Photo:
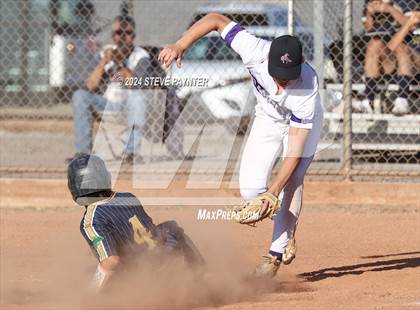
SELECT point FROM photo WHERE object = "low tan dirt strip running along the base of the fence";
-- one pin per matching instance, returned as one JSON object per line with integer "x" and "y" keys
{"x": 53, "y": 193}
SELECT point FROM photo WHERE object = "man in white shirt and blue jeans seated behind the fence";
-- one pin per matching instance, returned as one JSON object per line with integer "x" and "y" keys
{"x": 103, "y": 88}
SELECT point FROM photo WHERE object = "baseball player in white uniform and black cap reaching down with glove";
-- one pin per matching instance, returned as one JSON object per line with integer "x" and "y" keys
{"x": 287, "y": 123}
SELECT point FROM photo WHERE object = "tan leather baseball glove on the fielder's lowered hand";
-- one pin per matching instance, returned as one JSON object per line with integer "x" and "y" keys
{"x": 253, "y": 211}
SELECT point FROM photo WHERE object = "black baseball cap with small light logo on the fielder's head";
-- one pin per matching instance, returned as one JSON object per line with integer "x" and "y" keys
{"x": 285, "y": 58}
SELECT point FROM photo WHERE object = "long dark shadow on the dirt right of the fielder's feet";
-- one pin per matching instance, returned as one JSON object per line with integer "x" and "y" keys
{"x": 336, "y": 272}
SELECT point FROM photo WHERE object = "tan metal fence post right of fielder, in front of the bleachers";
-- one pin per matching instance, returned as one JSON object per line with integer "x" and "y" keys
{"x": 347, "y": 89}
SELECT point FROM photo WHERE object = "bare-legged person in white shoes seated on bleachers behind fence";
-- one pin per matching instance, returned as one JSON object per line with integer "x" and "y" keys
{"x": 381, "y": 21}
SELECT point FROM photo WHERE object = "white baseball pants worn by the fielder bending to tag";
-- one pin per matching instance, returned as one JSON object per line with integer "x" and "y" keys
{"x": 266, "y": 141}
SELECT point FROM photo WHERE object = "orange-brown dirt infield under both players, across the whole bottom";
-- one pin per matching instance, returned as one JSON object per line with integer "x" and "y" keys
{"x": 354, "y": 252}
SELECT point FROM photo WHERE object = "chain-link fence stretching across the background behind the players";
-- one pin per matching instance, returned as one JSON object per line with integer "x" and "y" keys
{"x": 52, "y": 105}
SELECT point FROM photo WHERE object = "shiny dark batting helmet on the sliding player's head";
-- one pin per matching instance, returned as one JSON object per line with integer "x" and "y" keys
{"x": 86, "y": 175}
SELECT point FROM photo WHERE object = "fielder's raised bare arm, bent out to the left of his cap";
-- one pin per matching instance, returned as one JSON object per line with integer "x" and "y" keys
{"x": 210, "y": 22}
